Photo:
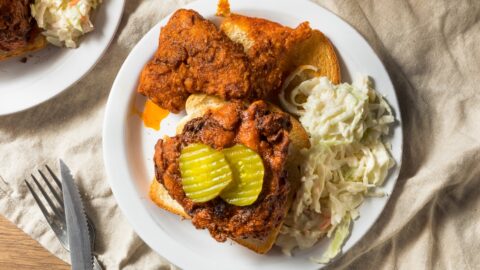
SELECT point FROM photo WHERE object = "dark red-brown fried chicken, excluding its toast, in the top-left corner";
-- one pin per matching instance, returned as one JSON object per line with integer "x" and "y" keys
{"x": 15, "y": 24}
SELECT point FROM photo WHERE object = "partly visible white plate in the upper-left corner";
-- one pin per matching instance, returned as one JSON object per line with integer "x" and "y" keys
{"x": 52, "y": 70}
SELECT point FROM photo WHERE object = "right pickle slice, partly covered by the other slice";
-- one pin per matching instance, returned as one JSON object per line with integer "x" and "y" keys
{"x": 248, "y": 171}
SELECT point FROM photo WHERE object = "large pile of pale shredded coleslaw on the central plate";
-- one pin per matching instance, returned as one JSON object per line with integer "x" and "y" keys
{"x": 346, "y": 162}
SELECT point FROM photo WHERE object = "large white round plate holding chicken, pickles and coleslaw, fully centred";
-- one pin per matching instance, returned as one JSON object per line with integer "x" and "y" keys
{"x": 129, "y": 146}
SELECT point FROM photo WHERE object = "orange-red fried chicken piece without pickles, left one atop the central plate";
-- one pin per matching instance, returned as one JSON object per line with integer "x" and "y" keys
{"x": 194, "y": 56}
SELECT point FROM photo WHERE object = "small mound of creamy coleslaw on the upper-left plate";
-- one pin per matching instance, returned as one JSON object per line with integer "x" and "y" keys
{"x": 64, "y": 21}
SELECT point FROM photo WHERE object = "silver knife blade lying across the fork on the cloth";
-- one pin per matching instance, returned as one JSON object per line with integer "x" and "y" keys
{"x": 77, "y": 228}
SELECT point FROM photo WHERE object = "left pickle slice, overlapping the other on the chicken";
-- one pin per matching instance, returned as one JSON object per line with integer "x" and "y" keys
{"x": 205, "y": 172}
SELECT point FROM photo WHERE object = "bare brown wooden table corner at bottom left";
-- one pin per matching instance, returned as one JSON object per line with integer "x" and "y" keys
{"x": 18, "y": 251}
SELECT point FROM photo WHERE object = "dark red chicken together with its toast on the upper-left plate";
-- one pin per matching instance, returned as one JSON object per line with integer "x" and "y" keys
{"x": 18, "y": 30}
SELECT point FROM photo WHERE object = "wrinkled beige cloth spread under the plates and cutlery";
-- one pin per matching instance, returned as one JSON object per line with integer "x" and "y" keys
{"x": 432, "y": 52}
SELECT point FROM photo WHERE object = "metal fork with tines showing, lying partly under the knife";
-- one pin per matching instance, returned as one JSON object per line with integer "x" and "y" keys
{"x": 57, "y": 220}
